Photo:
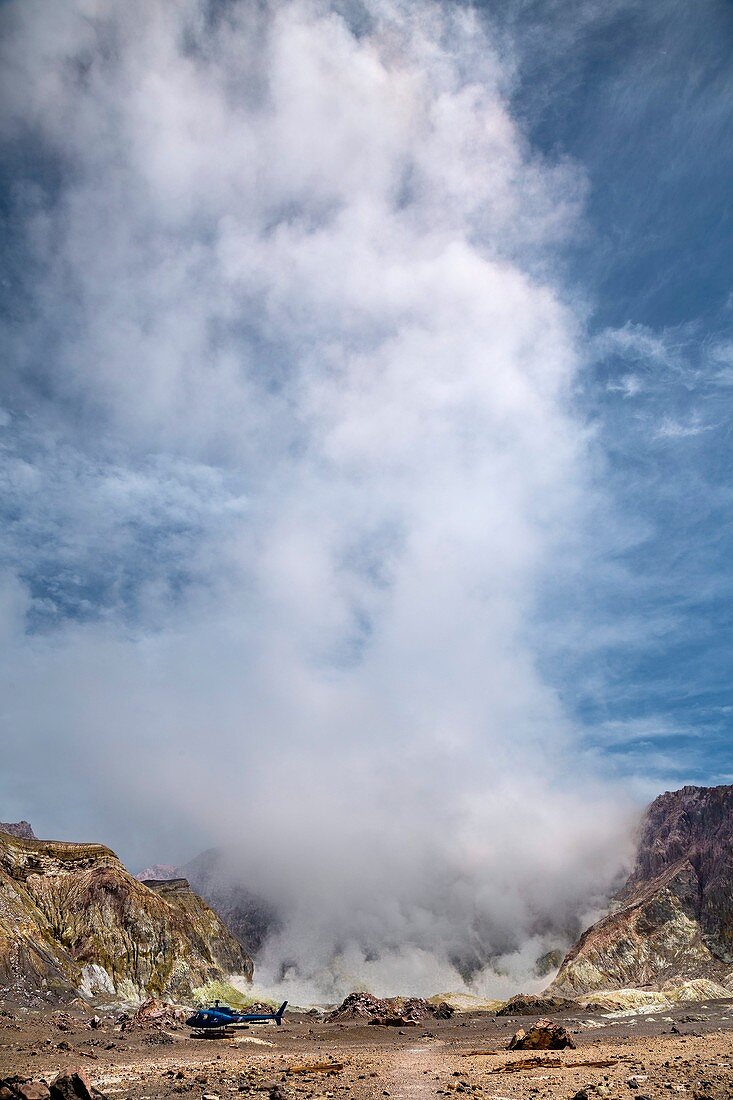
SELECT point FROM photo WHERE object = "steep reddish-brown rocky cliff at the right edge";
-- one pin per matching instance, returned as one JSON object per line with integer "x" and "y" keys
{"x": 673, "y": 920}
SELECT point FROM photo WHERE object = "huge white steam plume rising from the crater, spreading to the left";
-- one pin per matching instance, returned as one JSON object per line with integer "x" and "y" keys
{"x": 293, "y": 457}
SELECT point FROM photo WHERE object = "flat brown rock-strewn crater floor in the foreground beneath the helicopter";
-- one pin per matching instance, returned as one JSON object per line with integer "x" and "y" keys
{"x": 687, "y": 1052}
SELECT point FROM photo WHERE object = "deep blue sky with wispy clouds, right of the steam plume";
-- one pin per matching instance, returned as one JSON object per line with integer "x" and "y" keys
{"x": 640, "y": 95}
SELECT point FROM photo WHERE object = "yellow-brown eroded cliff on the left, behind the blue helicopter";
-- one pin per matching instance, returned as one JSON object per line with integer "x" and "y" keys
{"x": 74, "y": 920}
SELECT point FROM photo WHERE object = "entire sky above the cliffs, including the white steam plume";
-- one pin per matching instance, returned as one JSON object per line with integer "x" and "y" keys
{"x": 366, "y": 453}
